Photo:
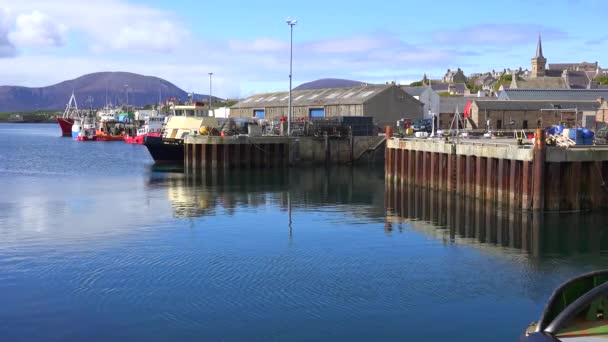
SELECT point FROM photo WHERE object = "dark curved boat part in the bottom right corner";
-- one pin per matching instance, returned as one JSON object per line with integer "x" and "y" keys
{"x": 576, "y": 311}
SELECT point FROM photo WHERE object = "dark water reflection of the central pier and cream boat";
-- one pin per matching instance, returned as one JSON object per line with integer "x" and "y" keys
{"x": 205, "y": 193}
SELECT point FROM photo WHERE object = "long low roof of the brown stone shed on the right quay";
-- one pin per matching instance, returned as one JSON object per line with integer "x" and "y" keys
{"x": 536, "y": 105}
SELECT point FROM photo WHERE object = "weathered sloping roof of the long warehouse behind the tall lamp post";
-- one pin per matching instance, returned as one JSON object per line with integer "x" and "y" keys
{"x": 332, "y": 96}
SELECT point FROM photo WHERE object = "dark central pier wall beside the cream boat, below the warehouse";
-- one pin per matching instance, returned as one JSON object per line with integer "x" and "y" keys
{"x": 245, "y": 152}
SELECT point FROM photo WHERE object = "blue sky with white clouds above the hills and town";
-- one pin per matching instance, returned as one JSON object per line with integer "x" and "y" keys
{"x": 246, "y": 44}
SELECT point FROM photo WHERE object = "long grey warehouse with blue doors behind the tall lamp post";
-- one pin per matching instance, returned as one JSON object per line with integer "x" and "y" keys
{"x": 385, "y": 103}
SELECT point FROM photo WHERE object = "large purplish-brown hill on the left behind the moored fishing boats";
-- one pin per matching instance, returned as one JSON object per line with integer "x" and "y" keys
{"x": 142, "y": 90}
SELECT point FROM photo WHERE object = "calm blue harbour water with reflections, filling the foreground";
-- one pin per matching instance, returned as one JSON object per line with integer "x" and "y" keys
{"x": 97, "y": 245}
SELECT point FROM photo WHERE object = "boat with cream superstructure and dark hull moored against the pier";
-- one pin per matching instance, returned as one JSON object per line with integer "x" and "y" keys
{"x": 186, "y": 120}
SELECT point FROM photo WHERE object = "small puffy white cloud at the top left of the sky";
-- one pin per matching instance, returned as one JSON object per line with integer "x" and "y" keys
{"x": 36, "y": 29}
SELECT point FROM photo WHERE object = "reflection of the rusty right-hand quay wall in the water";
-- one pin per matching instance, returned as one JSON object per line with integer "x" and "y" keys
{"x": 470, "y": 221}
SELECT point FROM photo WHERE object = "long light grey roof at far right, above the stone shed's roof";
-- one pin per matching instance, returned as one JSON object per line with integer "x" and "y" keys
{"x": 553, "y": 94}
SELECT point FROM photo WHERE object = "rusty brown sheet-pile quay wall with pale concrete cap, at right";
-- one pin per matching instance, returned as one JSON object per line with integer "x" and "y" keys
{"x": 519, "y": 177}
